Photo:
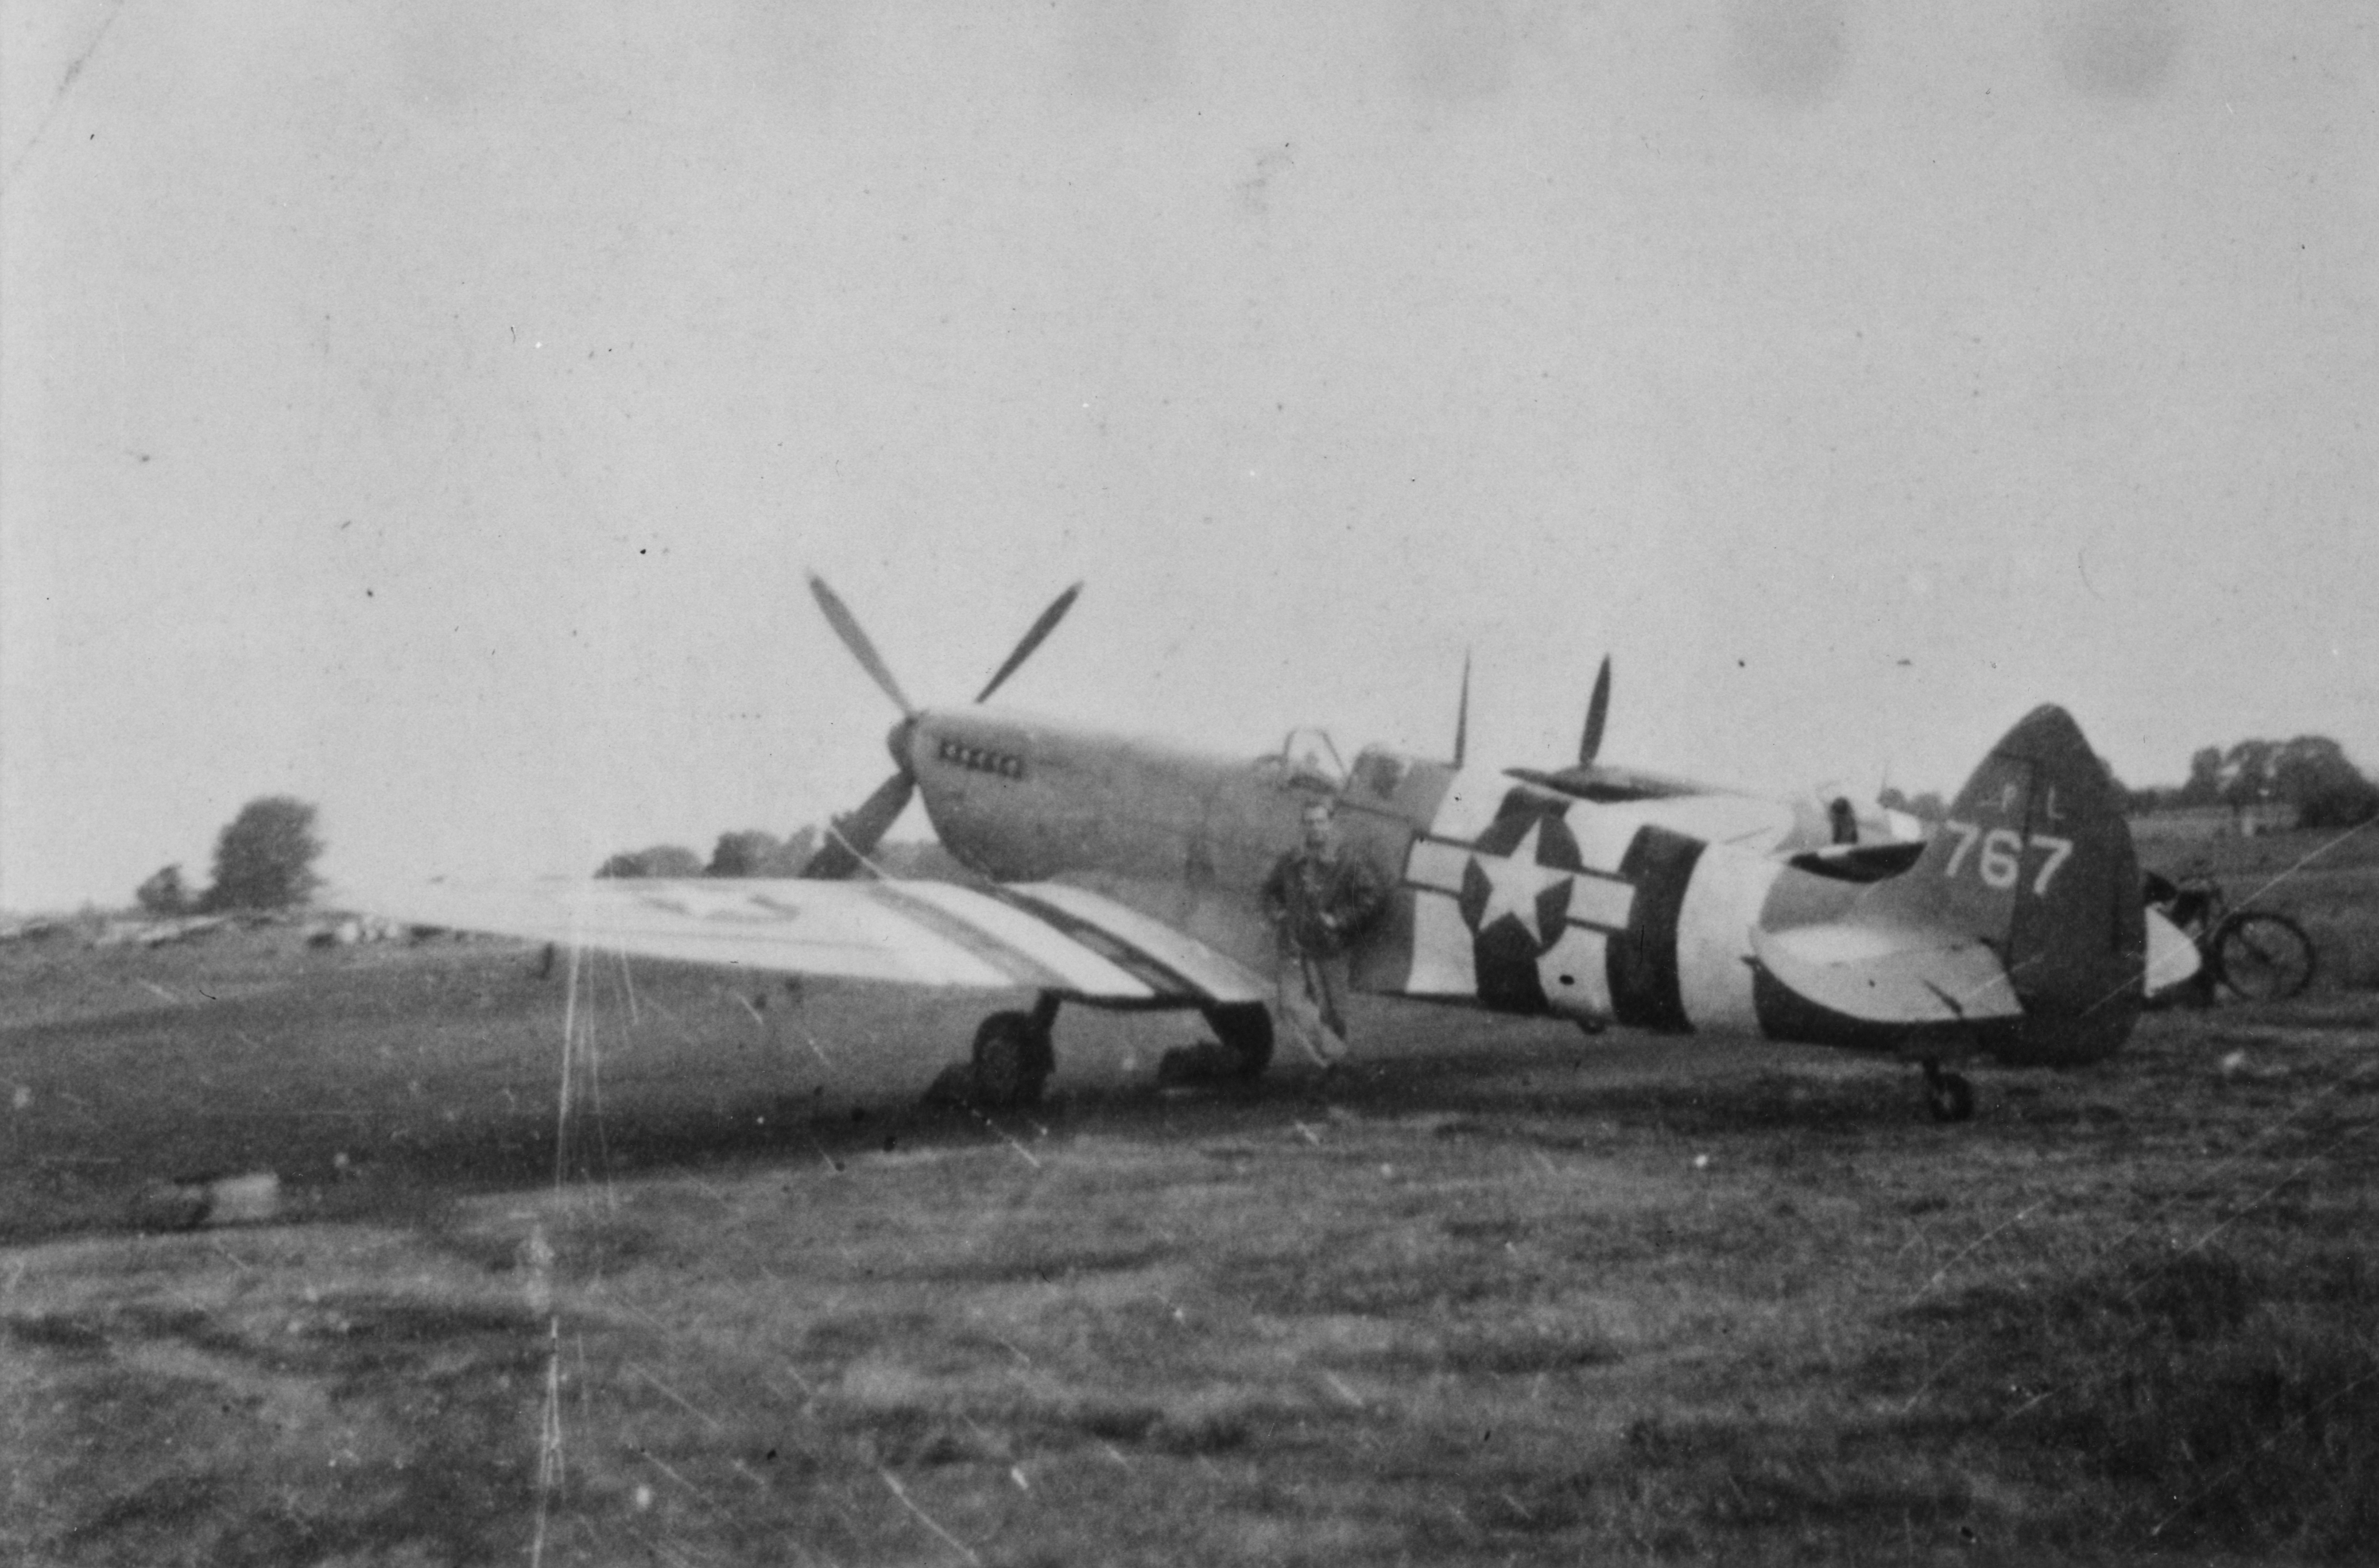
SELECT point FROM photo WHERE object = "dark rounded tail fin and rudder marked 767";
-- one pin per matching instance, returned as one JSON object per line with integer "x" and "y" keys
{"x": 2035, "y": 863}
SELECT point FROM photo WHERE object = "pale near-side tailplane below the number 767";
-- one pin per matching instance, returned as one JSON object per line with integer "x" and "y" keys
{"x": 1895, "y": 977}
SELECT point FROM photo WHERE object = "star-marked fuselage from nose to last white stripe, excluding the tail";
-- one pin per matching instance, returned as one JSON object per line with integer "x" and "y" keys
{"x": 1505, "y": 896}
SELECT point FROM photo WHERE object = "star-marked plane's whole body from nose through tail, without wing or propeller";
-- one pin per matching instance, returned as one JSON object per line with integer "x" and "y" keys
{"x": 2016, "y": 932}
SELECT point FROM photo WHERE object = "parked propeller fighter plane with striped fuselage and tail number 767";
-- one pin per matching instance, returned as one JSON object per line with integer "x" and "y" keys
{"x": 1126, "y": 872}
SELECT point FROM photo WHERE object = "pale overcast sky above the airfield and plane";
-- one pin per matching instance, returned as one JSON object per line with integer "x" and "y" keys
{"x": 429, "y": 408}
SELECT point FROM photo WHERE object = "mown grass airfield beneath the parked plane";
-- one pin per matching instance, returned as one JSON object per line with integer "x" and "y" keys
{"x": 1502, "y": 1293}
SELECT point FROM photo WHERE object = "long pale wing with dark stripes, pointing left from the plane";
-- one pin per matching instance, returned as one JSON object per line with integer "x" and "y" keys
{"x": 1027, "y": 936}
